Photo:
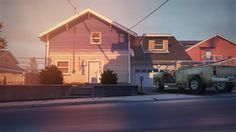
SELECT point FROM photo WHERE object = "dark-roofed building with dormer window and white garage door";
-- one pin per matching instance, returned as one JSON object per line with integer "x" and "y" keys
{"x": 155, "y": 52}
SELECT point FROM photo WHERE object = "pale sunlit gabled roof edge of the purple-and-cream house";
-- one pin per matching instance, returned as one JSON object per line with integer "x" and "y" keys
{"x": 63, "y": 23}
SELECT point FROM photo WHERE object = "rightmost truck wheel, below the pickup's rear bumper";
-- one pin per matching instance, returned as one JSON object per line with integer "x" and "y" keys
{"x": 223, "y": 87}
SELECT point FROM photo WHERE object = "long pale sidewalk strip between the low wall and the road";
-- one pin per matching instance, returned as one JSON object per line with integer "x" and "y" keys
{"x": 98, "y": 100}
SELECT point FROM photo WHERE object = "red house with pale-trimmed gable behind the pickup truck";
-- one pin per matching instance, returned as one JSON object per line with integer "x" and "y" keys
{"x": 213, "y": 49}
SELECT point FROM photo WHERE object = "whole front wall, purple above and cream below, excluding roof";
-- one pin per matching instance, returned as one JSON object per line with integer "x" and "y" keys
{"x": 74, "y": 45}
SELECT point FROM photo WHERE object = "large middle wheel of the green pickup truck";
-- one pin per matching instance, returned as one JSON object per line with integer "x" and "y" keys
{"x": 196, "y": 86}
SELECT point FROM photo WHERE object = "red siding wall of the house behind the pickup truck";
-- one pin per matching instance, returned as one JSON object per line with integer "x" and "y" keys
{"x": 221, "y": 47}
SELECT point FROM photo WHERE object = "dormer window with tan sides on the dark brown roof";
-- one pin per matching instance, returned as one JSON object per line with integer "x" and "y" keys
{"x": 158, "y": 45}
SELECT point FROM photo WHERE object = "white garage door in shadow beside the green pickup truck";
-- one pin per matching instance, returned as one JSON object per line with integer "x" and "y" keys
{"x": 147, "y": 75}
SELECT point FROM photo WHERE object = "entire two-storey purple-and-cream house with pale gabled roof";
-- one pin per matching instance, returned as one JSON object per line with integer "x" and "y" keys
{"x": 86, "y": 44}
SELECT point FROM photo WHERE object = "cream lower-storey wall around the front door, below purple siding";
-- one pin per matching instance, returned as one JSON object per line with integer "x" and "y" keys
{"x": 113, "y": 61}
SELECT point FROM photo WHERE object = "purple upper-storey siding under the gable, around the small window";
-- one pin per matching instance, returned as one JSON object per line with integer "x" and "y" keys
{"x": 77, "y": 38}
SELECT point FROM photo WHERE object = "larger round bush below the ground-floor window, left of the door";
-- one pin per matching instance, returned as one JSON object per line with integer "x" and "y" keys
{"x": 51, "y": 75}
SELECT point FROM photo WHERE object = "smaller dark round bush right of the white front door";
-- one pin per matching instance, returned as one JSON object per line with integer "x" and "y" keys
{"x": 109, "y": 77}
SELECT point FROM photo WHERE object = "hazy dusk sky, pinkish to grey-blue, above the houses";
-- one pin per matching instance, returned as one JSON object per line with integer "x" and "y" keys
{"x": 24, "y": 20}
